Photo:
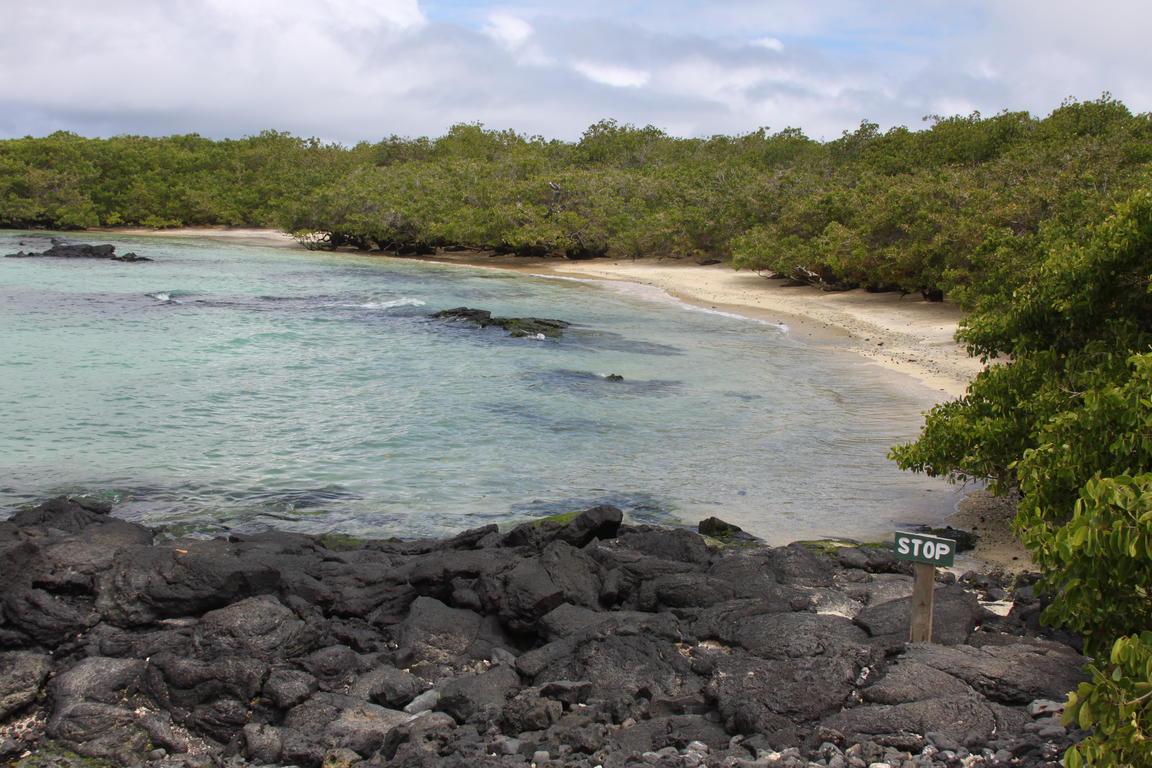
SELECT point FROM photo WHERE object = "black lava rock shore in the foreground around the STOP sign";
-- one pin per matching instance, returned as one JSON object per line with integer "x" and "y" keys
{"x": 577, "y": 643}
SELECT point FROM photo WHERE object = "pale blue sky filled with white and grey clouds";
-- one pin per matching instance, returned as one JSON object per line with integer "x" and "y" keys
{"x": 352, "y": 71}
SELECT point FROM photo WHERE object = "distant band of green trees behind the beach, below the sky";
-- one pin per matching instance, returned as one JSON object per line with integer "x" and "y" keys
{"x": 900, "y": 210}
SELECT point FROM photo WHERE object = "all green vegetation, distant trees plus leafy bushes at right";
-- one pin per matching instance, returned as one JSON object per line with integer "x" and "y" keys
{"x": 1040, "y": 227}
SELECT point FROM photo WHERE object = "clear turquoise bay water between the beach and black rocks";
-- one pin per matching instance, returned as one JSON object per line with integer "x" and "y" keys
{"x": 239, "y": 387}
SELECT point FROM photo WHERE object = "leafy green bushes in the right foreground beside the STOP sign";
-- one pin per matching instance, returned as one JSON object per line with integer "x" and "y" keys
{"x": 1064, "y": 414}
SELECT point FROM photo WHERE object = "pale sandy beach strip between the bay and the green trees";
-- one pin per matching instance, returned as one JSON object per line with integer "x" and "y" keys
{"x": 908, "y": 337}
